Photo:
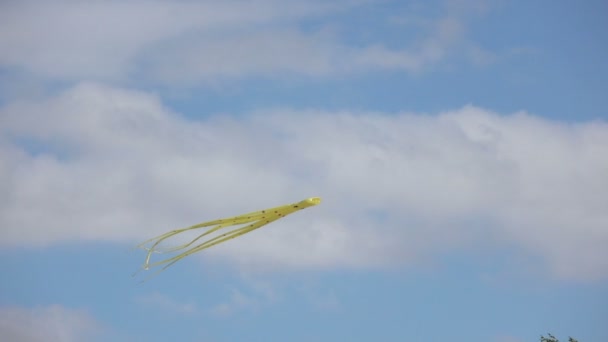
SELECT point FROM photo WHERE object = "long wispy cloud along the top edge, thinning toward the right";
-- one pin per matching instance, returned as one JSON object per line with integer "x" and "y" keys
{"x": 193, "y": 42}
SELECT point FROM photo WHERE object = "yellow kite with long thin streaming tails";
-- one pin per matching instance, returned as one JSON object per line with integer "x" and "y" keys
{"x": 252, "y": 220}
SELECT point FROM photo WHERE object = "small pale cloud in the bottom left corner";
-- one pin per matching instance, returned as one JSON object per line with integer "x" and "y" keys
{"x": 53, "y": 323}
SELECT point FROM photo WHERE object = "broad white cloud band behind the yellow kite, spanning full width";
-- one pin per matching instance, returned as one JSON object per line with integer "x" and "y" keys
{"x": 97, "y": 163}
